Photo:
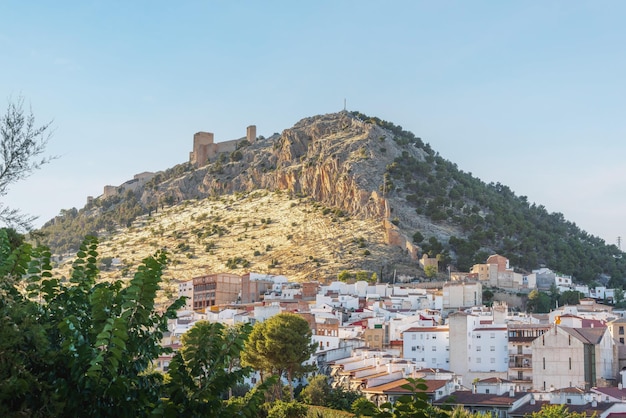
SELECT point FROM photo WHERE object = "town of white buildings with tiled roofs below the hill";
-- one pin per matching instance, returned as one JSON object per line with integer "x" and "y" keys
{"x": 371, "y": 337}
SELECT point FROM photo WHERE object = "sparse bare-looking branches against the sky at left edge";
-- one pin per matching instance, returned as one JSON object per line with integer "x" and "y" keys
{"x": 21, "y": 145}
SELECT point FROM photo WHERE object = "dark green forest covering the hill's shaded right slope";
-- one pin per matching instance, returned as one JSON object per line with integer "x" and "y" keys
{"x": 493, "y": 219}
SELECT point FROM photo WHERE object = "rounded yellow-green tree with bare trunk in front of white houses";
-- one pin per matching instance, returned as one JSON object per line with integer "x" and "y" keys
{"x": 280, "y": 345}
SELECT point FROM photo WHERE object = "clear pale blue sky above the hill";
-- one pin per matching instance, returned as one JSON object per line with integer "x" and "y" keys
{"x": 530, "y": 94}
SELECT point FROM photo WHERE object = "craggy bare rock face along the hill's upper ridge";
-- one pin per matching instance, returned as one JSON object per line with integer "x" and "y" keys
{"x": 336, "y": 159}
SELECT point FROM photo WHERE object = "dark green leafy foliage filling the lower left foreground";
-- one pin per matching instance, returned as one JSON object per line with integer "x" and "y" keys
{"x": 84, "y": 345}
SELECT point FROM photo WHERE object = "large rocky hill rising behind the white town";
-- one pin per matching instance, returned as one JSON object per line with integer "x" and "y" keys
{"x": 345, "y": 168}
